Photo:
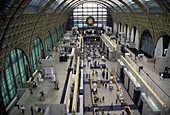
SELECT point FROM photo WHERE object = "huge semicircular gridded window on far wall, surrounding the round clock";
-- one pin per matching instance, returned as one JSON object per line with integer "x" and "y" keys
{"x": 99, "y": 13}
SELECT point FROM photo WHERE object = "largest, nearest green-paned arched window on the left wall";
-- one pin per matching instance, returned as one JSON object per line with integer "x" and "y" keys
{"x": 16, "y": 72}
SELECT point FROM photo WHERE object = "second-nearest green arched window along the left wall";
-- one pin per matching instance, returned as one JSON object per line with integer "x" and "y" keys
{"x": 37, "y": 53}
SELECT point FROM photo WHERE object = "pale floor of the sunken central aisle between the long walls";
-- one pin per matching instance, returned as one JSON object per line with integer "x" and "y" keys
{"x": 110, "y": 96}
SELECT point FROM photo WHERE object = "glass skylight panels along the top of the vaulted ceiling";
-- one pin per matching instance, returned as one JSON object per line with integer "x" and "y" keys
{"x": 35, "y": 6}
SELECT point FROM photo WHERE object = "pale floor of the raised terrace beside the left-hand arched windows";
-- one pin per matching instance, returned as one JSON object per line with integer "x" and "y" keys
{"x": 51, "y": 96}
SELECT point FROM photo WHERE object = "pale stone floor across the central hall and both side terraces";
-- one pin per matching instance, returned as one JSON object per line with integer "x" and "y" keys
{"x": 54, "y": 96}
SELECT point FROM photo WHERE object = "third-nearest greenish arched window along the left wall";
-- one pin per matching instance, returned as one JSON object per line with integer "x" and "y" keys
{"x": 48, "y": 44}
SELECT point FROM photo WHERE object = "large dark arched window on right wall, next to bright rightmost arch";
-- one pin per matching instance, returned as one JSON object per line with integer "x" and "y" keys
{"x": 146, "y": 44}
